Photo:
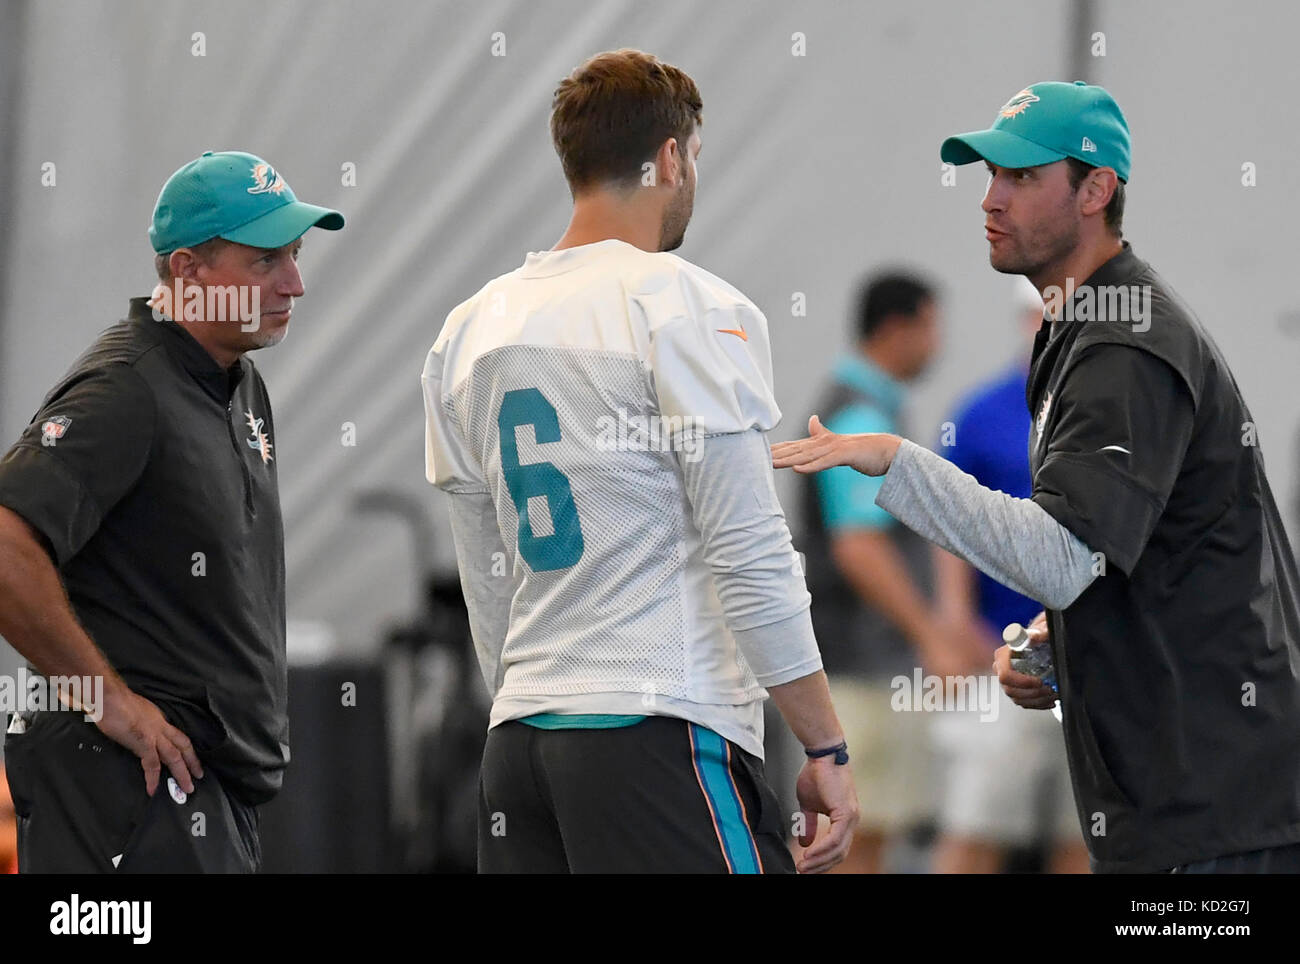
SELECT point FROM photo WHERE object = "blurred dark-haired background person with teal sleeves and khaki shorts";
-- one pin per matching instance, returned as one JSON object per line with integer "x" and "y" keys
{"x": 872, "y": 579}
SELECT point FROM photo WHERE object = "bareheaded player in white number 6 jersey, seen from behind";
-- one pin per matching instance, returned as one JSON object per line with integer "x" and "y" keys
{"x": 599, "y": 419}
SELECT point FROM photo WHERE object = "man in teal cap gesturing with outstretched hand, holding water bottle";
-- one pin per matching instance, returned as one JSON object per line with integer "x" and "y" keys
{"x": 1151, "y": 537}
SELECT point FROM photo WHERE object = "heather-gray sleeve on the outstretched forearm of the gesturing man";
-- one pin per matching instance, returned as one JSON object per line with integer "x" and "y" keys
{"x": 1015, "y": 541}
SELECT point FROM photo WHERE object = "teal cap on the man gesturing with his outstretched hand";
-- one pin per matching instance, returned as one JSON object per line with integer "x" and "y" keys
{"x": 1050, "y": 123}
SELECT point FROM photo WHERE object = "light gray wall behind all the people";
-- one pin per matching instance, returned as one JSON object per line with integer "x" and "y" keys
{"x": 816, "y": 170}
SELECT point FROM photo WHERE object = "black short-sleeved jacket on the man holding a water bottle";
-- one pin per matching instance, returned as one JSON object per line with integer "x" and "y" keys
{"x": 1180, "y": 681}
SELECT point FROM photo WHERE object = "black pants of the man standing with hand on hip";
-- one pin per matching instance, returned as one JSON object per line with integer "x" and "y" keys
{"x": 83, "y": 809}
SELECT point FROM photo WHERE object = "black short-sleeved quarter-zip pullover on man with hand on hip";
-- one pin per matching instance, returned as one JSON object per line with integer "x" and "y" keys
{"x": 151, "y": 474}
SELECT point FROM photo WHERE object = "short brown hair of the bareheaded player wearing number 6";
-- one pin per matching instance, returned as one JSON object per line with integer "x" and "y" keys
{"x": 616, "y": 111}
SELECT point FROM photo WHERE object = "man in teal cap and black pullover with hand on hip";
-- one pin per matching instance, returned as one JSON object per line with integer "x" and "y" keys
{"x": 142, "y": 552}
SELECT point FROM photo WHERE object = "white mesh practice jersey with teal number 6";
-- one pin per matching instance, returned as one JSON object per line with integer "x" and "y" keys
{"x": 562, "y": 397}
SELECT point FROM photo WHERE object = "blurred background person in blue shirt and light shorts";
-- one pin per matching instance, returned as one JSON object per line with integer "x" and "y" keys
{"x": 1006, "y": 781}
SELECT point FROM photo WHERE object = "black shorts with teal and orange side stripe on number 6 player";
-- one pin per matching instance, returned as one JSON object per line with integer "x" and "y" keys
{"x": 660, "y": 797}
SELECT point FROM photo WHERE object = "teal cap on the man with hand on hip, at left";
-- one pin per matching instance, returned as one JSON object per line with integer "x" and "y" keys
{"x": 237, "y": 197}
